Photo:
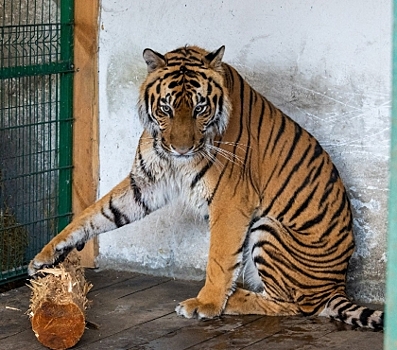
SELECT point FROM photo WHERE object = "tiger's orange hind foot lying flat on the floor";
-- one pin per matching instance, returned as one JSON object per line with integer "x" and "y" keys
{"x": 245, "y": 302}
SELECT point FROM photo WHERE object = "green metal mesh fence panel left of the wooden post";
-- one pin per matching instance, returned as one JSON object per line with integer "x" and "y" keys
{"x": 36, "y": 76}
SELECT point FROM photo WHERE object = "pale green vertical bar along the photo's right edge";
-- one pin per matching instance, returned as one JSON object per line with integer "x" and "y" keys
{"x": 391, "y": 276}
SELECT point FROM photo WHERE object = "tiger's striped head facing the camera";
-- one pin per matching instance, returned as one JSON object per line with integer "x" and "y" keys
{"x": 183, "y": 102}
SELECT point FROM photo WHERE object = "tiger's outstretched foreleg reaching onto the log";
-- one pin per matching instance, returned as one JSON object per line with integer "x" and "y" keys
{"x": 125, "y": 203}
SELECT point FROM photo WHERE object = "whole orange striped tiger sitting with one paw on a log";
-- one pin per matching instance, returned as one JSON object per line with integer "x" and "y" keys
{"x": 278, "y": 213}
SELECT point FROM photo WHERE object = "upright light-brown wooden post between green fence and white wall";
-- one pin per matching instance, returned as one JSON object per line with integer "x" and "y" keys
{"x": 85, "y": 111}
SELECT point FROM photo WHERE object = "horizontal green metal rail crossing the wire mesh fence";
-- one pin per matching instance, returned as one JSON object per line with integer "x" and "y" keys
{"x": 44, "y": 69}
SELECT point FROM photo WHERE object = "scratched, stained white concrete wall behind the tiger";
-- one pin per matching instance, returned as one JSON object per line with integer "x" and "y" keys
{"x": 325, "y": 63}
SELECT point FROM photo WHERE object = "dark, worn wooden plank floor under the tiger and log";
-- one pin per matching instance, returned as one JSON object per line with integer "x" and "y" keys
{"x": 133, "y": 311}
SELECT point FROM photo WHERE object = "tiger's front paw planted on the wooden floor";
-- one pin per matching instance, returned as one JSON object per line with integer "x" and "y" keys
{"x": 194, "y": 308}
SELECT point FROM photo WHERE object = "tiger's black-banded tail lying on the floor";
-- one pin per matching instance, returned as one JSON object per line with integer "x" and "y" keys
{"x": 340, "y": 308}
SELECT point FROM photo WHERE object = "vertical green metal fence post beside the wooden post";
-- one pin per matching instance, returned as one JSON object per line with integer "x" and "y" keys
{"x": 65, "y": 115}
